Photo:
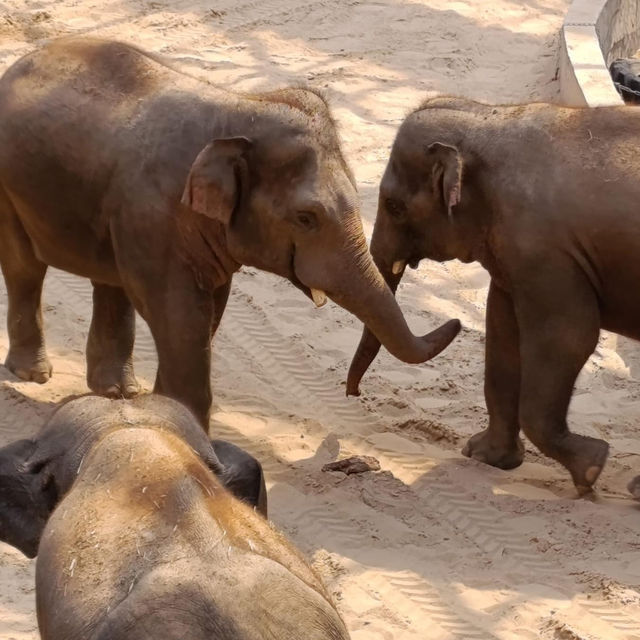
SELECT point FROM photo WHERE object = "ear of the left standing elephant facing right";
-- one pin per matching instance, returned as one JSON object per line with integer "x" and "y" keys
{"x": 213, "y": 183}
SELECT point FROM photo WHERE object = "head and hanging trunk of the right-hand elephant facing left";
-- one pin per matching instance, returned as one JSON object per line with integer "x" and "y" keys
{"x": 422, "y": 210}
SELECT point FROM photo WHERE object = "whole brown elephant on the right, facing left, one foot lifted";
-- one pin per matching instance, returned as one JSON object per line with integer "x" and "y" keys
{"x": 545, "y": 198}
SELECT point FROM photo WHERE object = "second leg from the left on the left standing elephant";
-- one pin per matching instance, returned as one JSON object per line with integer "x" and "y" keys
{"x": 110, "y": 344}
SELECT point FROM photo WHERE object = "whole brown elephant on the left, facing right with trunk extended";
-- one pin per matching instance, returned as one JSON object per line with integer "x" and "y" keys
{"x": 158, "y": 186}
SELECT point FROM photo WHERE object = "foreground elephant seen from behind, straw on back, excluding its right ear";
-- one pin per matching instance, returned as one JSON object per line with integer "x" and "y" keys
{"x": 144, "y": 541}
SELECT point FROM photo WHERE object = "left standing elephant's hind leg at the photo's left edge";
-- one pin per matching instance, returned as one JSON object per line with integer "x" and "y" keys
{"x": 23, "y": 275}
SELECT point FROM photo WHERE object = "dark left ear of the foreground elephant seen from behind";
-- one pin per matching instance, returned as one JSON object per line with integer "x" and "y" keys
{"x": 27, "y": 496}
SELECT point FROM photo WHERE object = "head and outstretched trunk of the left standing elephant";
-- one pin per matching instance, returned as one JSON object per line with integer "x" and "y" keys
{"x": 283, "y": 199}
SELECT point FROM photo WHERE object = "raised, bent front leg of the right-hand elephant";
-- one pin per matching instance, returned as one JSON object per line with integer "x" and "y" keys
{"x": 559, "y": 321}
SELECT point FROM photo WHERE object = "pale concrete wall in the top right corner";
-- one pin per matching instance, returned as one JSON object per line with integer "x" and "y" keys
{"x": 594, "y": 33}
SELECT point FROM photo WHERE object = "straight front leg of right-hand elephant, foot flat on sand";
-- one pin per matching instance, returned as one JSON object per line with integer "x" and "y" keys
{"x": 500, "y": 445}
